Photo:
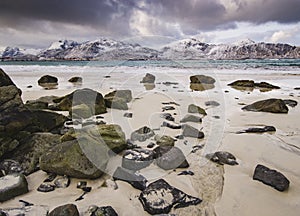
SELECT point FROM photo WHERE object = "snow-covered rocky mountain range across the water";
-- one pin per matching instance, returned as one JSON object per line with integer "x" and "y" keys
{"x": 108, "y": 49}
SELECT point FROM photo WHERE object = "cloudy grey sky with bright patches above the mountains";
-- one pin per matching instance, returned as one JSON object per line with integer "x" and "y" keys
{"x": 153, "y": 23}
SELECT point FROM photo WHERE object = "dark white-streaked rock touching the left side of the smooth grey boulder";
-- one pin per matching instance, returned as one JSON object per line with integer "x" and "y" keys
{"x": 136, "y": 159}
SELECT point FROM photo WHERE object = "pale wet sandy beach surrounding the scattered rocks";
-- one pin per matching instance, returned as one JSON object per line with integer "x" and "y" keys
{"x": 225, "y": 190}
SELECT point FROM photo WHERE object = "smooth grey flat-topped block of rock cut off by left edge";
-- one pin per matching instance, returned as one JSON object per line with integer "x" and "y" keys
{"x": 12, "y": 185}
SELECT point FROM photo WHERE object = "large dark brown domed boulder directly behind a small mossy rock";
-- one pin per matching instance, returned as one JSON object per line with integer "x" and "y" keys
{"x": 91, "y": 98}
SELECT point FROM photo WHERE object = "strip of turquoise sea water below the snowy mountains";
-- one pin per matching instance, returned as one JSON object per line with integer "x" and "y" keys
{"x": 239, "y": 64}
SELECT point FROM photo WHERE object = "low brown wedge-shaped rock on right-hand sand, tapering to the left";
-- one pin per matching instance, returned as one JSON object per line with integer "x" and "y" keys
{"x": 269, "y": 105}
